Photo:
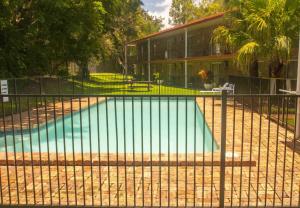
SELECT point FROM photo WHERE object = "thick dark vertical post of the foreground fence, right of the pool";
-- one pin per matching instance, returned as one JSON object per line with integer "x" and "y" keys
{"x": 223, "y": 148}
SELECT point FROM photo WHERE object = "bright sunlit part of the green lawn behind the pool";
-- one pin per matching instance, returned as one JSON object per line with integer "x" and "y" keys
{"x": 113, "y": 84}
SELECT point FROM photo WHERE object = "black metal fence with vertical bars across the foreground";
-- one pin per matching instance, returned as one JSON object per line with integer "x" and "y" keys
{"x": 149, "y": 151}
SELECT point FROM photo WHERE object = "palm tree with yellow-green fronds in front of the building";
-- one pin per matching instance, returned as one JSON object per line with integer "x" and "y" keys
{"x": 260, "y": 29}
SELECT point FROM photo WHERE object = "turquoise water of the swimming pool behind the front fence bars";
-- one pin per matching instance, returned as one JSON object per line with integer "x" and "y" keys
{"x": 185, "y": 129}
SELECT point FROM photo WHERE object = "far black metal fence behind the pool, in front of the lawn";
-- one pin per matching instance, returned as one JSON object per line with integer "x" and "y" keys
{"x": 97, "y": 84}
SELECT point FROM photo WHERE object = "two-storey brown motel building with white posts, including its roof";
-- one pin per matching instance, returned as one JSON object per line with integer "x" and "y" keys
{"x": 179, "y": 53}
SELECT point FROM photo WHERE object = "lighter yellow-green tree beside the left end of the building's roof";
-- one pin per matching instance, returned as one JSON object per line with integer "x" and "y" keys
{"x": 132, "y": 23}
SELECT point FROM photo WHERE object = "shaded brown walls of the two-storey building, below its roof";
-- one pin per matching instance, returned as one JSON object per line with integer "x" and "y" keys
{"x": 168, "y": 54}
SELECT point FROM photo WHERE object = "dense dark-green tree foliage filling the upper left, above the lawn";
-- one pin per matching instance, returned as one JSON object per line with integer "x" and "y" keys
{"x": 42, "y": 37}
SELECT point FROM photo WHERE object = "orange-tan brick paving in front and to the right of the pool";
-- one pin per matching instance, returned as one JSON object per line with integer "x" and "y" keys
{"x": 251, "y": 164}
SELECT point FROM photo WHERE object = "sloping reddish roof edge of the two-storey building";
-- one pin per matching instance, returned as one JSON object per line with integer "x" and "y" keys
{"x": 179, "y": 27}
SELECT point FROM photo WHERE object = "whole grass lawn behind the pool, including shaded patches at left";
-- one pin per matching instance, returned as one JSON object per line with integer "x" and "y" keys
{"x": 98, "y": 84}
